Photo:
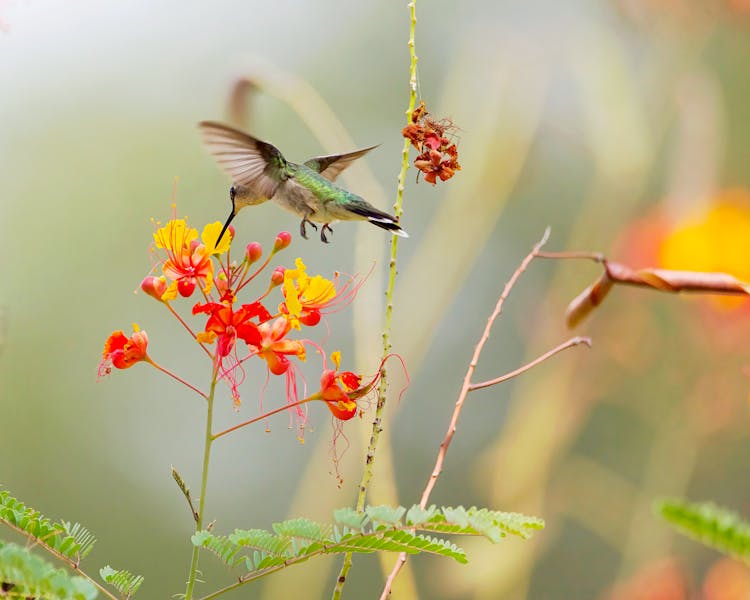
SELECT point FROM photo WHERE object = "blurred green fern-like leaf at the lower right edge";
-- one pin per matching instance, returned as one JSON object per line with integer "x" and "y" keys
{"x": 710, "y": 524}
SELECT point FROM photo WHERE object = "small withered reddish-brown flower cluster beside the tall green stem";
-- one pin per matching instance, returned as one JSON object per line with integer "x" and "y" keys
{"x": 438, "y": 154}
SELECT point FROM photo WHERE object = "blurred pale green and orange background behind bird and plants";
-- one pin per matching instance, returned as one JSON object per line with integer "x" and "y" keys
{"x": 585, "y": 116}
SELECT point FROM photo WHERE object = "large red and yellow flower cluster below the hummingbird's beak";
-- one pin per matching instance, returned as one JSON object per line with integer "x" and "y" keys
{"x": 231, "y": 332}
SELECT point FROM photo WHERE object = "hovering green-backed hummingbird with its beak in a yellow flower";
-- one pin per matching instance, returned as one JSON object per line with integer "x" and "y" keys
{"x": 260, "y": 173}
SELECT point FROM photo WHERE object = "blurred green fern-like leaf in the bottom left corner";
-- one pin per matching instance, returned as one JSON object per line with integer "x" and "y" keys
{"x": 25, "y": 575}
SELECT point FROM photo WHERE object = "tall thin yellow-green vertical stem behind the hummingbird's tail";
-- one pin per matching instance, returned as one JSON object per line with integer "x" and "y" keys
{"x": 377, "y": 427}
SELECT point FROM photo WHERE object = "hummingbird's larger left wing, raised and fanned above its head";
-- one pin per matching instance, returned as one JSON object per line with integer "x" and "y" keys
{"x": 251, "y": 162}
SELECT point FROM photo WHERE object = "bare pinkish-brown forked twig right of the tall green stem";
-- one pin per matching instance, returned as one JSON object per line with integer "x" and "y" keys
{"x": 465, "y": 389}
